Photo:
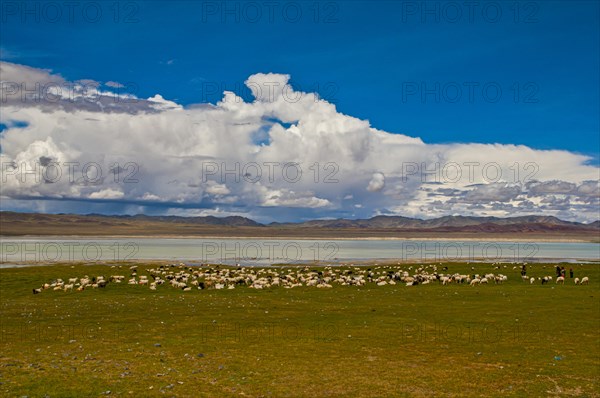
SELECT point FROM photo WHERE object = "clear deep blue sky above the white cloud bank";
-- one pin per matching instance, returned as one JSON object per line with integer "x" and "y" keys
{"x": 361, "y": 55}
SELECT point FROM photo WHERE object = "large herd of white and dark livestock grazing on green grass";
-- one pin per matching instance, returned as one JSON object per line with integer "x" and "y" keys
{"x": 186, "y": 278}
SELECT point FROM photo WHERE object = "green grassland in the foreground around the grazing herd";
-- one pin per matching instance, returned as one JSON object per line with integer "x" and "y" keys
{"x": 511, "y": 339}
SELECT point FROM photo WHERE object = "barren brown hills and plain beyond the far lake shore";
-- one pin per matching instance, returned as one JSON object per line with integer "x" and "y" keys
{"x": 521, "y": 228}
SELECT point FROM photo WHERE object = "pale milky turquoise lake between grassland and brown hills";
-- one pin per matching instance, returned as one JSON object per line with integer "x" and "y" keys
{"x": 251, "y": 252}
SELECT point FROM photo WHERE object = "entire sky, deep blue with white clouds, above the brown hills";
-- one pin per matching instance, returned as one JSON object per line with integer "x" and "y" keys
{"x": 513, "y": 85}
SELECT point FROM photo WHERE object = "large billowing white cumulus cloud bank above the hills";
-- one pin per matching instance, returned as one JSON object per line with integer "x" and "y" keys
{"x": 285, "y": 155}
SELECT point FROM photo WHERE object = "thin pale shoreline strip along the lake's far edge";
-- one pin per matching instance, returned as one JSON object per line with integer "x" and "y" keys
{"x": 263, "y": 238}
